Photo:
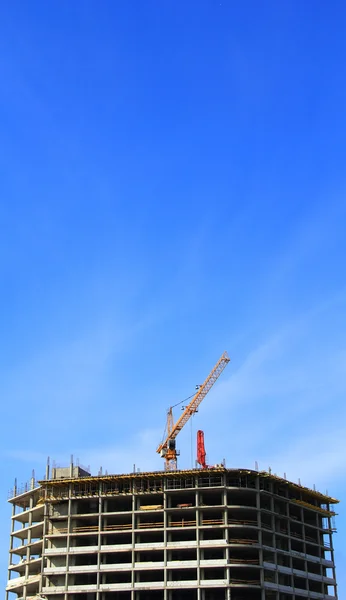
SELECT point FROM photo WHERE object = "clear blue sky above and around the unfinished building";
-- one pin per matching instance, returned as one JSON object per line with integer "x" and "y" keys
{"x": 172, "y": 186}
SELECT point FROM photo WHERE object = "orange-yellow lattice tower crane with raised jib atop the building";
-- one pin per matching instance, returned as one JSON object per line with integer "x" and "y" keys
{"x": 167, "y": 449}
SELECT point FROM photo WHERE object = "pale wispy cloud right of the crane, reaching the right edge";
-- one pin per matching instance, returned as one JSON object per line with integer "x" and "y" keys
{"x": 275, "y": 406}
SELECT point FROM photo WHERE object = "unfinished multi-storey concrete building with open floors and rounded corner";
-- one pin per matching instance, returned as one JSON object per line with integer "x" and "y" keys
{"x": 214, "y": 534}
